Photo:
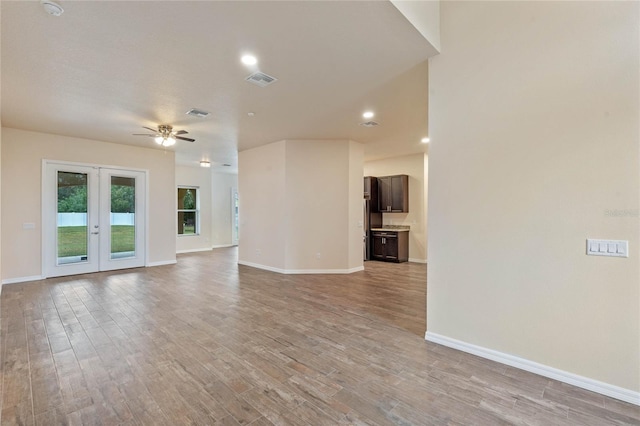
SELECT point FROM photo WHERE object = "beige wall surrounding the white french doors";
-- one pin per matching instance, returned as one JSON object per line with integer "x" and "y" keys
{"x": 22, "y": 155}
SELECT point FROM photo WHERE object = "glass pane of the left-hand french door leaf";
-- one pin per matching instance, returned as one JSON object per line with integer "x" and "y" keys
{"x": 72, "y": 218}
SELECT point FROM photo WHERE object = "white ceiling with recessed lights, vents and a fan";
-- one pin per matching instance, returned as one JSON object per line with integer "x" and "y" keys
{"x": 104, "y": 69}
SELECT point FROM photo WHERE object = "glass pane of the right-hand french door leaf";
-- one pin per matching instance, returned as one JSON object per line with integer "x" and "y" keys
{"x": 123, "y": 217}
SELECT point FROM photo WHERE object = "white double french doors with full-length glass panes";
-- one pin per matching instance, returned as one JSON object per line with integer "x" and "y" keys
{"x": 93, "y": 219}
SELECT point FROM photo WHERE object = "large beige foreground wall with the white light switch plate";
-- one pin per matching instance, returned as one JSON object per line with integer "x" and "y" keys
{"x": 534, "y": 122}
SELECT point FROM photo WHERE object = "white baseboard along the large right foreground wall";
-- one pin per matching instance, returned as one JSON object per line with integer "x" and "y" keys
{"x": 613, "y": 391}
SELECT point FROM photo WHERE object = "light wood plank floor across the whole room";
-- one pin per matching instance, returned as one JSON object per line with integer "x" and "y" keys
{"x": 208, "y": 342}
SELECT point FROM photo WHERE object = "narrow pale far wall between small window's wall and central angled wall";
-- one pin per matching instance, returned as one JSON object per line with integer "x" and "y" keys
{"x": 222, "y": 220}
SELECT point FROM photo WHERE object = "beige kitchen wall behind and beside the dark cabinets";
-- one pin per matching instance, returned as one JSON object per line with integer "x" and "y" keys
{"x": 413, "y": 165}
